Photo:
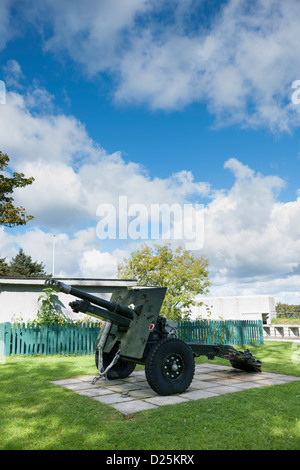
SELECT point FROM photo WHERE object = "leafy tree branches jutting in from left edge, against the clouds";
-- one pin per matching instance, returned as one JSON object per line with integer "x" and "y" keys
{"x": 9, "y": 214}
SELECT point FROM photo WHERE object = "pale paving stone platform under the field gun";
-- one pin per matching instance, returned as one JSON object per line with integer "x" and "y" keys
{"x": 133, "y": 394}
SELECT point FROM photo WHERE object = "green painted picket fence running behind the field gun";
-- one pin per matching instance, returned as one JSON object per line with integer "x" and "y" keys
{"x": 79, "y": 339}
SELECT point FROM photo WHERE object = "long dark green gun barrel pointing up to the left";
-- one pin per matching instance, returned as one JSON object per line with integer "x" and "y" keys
{"x": 113, "y": 307}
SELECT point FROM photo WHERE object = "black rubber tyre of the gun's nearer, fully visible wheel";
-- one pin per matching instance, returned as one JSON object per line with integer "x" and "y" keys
{"x": 155, "y": 361}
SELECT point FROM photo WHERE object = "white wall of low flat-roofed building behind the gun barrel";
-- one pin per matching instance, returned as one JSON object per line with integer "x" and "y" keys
{"x": 19, "y": 296}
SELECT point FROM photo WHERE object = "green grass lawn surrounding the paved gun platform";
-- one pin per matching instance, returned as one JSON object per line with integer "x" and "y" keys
{"x": 35, "y": 414}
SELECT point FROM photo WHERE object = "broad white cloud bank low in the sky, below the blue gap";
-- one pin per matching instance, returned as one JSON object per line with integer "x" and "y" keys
{"x": 249, "y": 235}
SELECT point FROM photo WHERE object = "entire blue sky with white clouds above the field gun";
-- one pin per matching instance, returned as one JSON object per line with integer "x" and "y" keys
{"x": 186, "y": 102}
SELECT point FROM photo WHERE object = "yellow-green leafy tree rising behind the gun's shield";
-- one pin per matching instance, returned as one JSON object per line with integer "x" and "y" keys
{"x": 184, "y": 274}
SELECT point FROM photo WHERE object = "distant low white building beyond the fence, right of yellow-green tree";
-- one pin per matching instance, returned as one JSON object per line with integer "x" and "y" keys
{"x": 254, "y": 307}
